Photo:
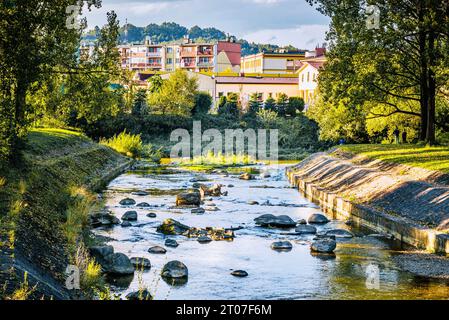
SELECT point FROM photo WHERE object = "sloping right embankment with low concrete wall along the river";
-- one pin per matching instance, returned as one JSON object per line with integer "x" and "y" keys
{"x": 411, "y": 204}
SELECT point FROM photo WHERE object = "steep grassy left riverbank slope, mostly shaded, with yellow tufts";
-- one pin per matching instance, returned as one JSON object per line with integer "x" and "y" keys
{"x": 44, "y": 202}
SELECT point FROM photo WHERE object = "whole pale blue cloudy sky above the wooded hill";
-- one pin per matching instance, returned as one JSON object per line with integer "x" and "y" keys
{"x": 280, "y": 22}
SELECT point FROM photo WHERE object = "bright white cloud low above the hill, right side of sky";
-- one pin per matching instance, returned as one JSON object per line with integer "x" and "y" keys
{"x": 303, "y": 37}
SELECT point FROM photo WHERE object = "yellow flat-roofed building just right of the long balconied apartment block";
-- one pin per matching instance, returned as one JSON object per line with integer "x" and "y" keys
{"x": 278, "y": 62}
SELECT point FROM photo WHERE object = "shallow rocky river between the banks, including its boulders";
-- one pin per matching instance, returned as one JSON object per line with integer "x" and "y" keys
{"x": 249, "y": 236}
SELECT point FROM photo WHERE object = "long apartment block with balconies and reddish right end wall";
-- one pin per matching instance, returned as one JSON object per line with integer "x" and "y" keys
{"x": 191, "y": 56}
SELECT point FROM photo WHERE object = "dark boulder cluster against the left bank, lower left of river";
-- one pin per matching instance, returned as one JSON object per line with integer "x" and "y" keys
{"x": 110, "y": 262}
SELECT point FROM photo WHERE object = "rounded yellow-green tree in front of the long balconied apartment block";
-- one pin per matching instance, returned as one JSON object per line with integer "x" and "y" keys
{"x": 176, "y": 96}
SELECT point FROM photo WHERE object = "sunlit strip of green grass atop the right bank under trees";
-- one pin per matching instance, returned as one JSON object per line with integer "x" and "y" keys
{"x": 431, "y": 158}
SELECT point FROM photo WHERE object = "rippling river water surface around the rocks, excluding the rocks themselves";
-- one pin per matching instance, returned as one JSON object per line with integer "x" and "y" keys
{"x": 296, "y": 274}
